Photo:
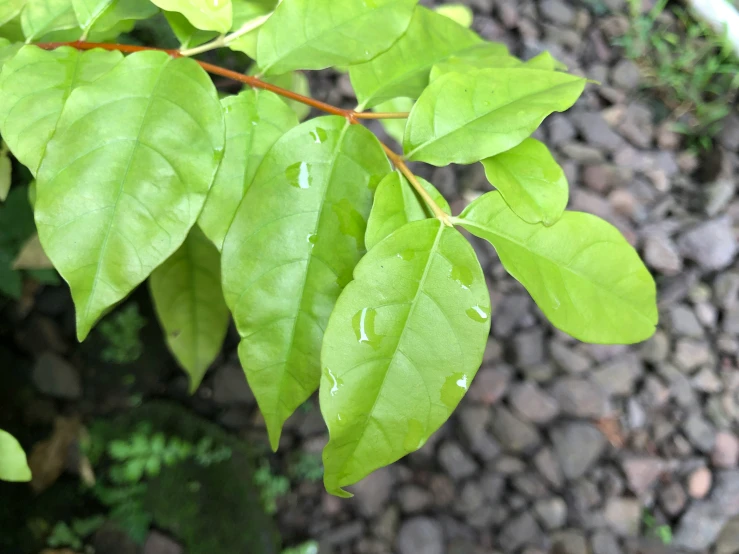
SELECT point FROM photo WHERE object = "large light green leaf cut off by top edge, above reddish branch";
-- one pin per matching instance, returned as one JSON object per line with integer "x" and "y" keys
{"x": 316, "y": 34}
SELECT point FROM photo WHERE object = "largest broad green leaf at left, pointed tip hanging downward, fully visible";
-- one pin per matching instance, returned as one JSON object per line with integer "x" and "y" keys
{"x": 126, "y": 176}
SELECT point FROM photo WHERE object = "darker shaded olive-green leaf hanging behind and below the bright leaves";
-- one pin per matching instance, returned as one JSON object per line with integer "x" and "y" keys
{"x": 186, "y": 290}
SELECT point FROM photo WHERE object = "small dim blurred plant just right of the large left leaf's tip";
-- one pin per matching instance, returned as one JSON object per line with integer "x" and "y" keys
{"x": 122, "y": 335}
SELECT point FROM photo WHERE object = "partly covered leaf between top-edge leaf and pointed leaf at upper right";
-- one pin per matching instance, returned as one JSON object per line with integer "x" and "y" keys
{"x": 404, "y": 69}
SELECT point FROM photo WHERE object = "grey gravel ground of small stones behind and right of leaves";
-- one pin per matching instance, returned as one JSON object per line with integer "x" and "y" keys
{"x": 561, "y": 445}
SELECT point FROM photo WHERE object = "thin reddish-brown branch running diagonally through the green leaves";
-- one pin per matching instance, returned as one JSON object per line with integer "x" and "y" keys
{"x": 351, "y": 115}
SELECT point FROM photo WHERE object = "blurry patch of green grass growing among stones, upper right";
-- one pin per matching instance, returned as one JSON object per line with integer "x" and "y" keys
{"x": 694, "y": 70}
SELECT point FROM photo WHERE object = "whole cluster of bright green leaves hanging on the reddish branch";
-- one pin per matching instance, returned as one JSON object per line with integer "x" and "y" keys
{"x": 341, "y": 274}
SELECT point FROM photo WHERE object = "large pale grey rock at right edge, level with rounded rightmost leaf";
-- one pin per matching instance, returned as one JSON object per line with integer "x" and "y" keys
{"x": 711, "y": 244}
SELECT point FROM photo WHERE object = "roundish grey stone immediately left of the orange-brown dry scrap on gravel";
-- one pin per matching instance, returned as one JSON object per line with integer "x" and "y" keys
{"x": 578, "y": 446}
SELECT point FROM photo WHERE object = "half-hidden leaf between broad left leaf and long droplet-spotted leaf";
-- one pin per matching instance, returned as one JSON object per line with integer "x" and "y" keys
{"x": 254, "y": 122}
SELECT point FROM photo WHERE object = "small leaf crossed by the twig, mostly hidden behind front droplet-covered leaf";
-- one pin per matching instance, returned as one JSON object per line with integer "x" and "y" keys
{"x": 396, "y": 204}
